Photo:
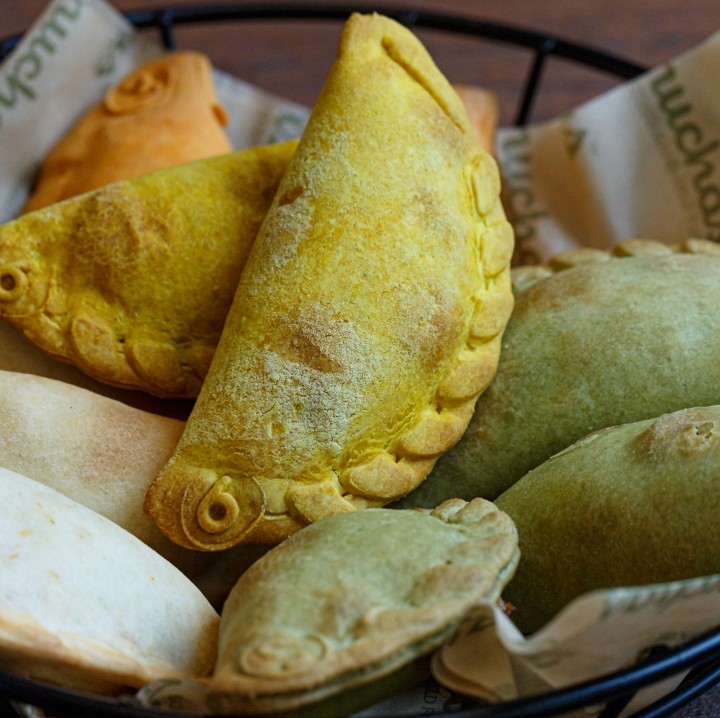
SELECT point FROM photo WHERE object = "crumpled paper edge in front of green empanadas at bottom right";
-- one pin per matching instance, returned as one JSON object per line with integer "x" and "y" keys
{"x": 597, "y": 634}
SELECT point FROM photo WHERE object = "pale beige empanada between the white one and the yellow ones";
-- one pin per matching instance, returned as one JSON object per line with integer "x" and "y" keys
{"x": 104, "y": 455}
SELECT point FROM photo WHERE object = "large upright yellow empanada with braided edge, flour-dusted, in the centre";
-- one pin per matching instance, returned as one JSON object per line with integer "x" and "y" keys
{"x": 368, "y": 318}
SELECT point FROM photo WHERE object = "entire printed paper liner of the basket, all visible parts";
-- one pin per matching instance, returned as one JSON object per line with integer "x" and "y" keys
{"x": 641, "y": 160}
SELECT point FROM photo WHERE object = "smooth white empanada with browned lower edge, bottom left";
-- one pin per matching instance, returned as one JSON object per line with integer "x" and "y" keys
{"x": 68, "y": 578}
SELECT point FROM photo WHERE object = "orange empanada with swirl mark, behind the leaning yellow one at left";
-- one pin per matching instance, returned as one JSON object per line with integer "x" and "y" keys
{"x": 164, "y": 113}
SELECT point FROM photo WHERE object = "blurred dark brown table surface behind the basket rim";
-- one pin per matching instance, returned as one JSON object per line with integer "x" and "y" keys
{"x": 292, "y": 59}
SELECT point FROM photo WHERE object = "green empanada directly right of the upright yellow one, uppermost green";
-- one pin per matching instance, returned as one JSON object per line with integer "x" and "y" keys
{"x": 606, "y": 337}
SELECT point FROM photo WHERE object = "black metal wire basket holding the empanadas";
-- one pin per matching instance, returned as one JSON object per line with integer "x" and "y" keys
{"x": 698, "y": 661}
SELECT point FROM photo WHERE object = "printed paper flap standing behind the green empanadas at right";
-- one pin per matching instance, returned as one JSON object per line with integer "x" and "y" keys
{"x": 642, "y": 160}
